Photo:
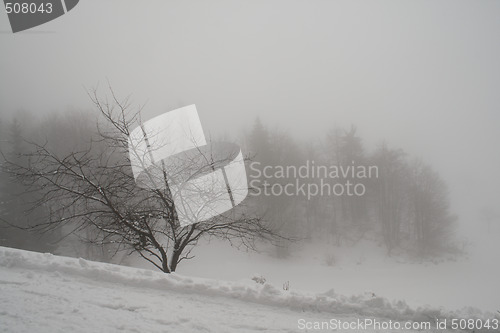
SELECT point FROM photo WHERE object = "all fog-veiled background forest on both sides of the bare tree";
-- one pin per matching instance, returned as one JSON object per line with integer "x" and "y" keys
{"x": 404, "y": 208}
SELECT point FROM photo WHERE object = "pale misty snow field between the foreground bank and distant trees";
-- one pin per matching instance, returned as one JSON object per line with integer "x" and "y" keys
{"x": 453, "y": 283}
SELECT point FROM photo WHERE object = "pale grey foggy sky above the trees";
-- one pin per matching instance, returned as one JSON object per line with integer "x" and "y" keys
{"x": 422, "y": 75}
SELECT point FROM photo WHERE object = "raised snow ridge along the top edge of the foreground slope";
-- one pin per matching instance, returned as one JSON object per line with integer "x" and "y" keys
{"x": 266, "y": 294}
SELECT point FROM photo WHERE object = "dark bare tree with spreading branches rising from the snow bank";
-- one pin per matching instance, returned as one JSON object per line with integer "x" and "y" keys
{"x": 95, "y": 188}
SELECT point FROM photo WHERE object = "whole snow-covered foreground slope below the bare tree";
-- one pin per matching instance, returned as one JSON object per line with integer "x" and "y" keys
{"x": 47, "y": 293}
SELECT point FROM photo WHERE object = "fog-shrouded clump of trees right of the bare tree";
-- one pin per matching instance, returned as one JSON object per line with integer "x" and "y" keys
{"x": 404, "y": 205}
